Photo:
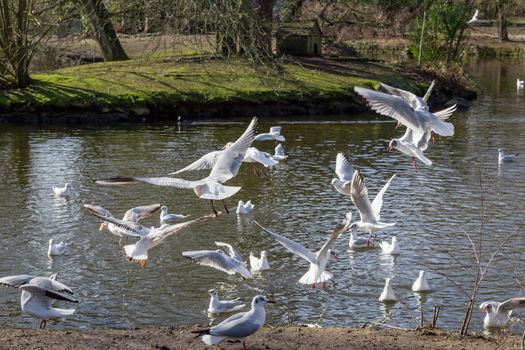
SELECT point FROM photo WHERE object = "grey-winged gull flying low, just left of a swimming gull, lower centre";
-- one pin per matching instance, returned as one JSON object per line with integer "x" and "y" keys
{"x": 218, "y": 260}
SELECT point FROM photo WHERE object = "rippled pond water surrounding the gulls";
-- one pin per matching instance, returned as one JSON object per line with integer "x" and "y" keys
{"x": 432, "y": 208}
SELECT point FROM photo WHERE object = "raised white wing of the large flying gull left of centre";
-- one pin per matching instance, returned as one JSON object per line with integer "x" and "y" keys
{"x": 231, "y": 158}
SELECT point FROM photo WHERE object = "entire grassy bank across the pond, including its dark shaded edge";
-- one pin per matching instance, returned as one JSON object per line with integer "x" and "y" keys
{"x": 209, "y": 88}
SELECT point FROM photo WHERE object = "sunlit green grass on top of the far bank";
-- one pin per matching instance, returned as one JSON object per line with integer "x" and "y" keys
{"x": 166, "y": 81}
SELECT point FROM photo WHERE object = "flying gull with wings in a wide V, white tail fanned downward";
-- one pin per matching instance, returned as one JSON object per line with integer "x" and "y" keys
{"x": 316, "y": 273}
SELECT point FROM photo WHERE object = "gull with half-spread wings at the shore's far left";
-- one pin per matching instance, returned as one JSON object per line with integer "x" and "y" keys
{"x": 38, "y": 296}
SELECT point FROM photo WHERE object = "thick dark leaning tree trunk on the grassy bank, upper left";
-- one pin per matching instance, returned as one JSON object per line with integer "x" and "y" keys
{"x": 98, "y": 17}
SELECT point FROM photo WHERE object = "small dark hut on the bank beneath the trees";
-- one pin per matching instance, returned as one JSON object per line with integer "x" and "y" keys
{"x": 299, "y": 38}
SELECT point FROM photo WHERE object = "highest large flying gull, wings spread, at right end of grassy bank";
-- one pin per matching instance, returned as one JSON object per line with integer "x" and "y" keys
{"x": 408, "y": 109}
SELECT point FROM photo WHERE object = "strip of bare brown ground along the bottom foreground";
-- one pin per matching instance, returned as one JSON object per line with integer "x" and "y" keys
{"x": 269, "y": 338}
